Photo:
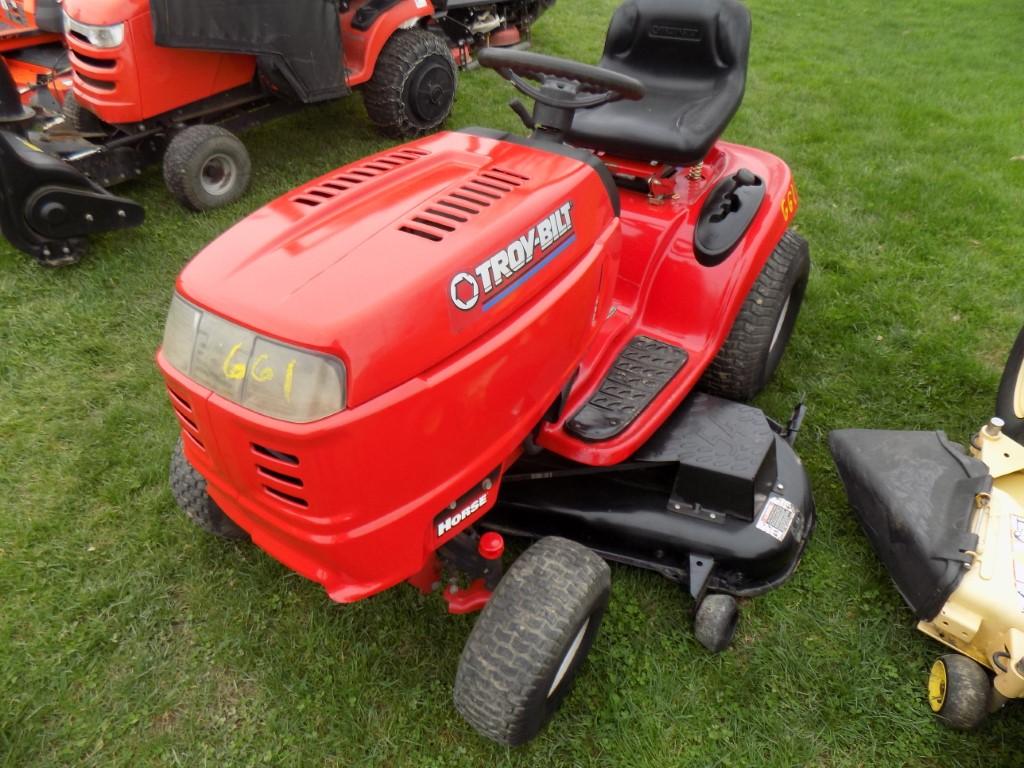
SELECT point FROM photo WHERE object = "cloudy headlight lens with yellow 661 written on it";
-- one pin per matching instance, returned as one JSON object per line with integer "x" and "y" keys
{"x": 261, "y": 374}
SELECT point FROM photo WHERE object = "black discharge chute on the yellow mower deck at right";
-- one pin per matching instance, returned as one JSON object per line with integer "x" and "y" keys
{"x": 915, "y": 495}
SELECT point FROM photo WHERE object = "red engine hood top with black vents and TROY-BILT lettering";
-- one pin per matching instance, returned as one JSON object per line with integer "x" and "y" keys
{"x": 399, "y": 262}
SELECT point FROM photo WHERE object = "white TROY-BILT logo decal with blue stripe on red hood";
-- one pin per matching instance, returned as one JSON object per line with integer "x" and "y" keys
{"x": 499, "y": 276}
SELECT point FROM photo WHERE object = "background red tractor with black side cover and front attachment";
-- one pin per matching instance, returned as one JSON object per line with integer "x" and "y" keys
{"x": 174, "y": 81}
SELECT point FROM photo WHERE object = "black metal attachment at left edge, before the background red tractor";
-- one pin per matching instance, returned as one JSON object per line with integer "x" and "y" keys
{"x": 48, "y": 207}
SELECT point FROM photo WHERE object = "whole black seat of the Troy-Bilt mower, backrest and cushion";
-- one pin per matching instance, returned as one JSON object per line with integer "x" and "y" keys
{"x": 692, "y": 55}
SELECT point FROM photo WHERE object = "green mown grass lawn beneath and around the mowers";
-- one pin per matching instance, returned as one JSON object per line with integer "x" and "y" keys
{"x": 129, "y": 638}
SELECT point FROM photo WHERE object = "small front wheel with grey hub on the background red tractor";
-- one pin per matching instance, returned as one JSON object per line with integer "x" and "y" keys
{"x": 206, "y": 167}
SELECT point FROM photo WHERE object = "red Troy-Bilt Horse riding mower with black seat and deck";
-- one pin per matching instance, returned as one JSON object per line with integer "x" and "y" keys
{"x": 475, "y": 334}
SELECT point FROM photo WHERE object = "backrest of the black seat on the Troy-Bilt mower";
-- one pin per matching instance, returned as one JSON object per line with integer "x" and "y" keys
{"x": 671, "y": 45}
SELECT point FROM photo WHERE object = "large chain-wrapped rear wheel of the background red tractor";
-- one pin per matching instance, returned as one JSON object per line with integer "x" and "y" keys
{"x": 413, "y": 88}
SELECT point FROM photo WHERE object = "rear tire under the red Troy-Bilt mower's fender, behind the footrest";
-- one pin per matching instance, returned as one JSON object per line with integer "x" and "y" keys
{"x": 755, "y": 347}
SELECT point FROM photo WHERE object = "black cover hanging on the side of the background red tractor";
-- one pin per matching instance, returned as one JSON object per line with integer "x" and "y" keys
{"x": 297, "y": 42}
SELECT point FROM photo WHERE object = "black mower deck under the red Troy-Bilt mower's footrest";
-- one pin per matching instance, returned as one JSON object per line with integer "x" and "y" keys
{"x": 716, "y": 500}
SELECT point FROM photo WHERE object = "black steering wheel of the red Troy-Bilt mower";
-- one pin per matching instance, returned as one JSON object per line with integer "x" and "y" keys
{"x": 565, "y": 84}
